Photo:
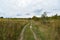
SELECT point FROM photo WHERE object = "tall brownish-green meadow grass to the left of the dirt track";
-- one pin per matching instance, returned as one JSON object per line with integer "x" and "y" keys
{"x": 10, "y": 29}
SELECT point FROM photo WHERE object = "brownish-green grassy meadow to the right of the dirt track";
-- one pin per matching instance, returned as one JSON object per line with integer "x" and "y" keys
{"x": 47, "y": 29}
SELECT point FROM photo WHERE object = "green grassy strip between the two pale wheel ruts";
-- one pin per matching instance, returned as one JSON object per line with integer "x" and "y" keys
{"x": 28, "y": 34}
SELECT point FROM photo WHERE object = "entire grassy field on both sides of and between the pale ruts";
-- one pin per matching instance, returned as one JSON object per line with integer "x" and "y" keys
{"x": 45, "y": 29}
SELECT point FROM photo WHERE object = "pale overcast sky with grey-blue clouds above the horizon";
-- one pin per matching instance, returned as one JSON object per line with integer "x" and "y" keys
{"x": 28, "y": 8}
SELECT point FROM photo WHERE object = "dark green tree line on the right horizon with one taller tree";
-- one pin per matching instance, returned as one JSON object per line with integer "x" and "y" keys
{"x": 45, "y": 16}
